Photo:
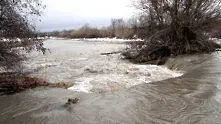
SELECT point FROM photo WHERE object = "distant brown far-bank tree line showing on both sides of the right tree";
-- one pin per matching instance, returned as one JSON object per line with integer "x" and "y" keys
{"x": 118, "y": 28}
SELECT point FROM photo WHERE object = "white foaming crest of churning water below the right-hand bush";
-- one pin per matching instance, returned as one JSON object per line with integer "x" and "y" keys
{"x": 134, "y": 75}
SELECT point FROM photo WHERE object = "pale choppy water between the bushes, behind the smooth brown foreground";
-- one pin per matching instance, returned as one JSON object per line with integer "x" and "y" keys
{"x": 82, "y": 64}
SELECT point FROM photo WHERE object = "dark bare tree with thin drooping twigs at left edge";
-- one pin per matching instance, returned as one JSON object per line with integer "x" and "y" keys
{"x": 16, "y": 31}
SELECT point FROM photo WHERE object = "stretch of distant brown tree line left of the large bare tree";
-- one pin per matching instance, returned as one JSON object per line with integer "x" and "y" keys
{"x": 118, "y": 28}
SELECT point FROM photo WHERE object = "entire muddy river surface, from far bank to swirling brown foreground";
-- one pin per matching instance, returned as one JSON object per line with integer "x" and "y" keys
{"x": 186, "y": 90}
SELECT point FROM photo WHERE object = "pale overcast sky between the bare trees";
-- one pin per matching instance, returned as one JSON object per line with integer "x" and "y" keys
{"x": 70, "y": 14}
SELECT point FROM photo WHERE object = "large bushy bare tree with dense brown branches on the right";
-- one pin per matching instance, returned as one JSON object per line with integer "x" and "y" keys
{"x": 177, "y": 26}
